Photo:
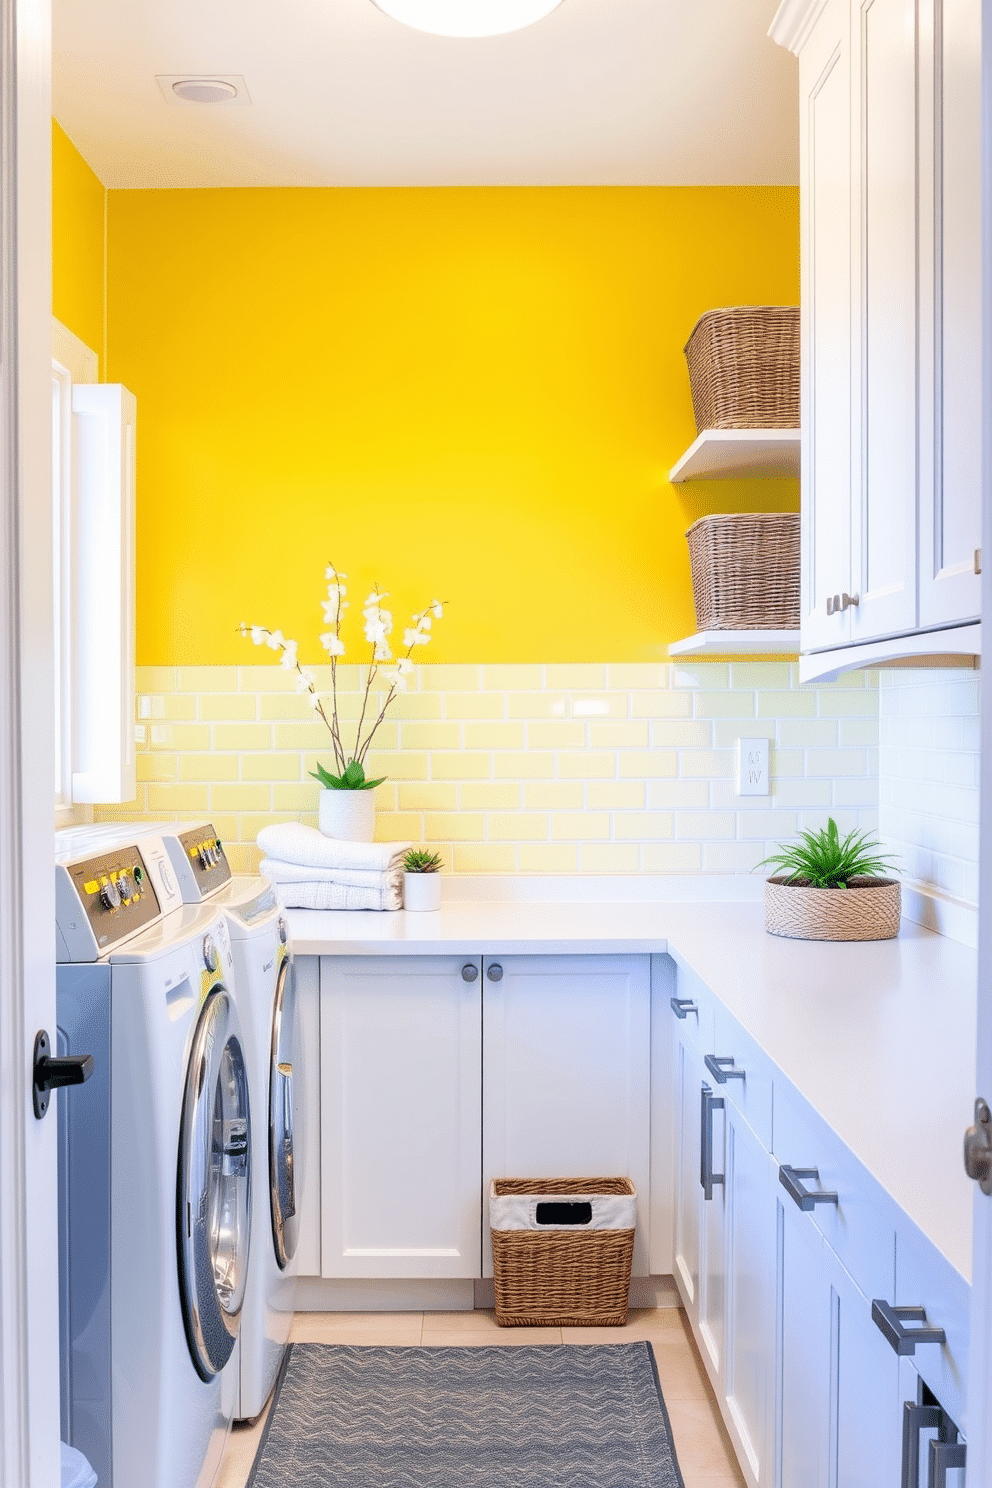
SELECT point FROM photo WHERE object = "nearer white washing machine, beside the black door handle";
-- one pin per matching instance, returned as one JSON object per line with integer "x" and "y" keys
{"x": 155, "y": 1172}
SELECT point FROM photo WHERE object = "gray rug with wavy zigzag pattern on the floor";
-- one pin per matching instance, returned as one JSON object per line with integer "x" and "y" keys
{"x": 569, "y": 1416}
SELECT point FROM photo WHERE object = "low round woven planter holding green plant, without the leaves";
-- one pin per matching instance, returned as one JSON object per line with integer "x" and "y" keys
{"x": 866, "y": 910}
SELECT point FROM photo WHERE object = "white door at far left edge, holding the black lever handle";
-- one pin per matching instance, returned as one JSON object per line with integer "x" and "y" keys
{"x": 29, "y": 1206}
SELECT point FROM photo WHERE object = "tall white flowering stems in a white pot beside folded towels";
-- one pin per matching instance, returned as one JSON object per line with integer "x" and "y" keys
{"x": 347, "y": 801}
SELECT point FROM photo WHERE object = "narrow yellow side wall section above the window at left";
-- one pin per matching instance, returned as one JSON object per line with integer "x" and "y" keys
{"x": 78, "y": 243}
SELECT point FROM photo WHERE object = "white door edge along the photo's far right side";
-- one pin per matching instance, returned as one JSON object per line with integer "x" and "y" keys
{"x": 979, "y": 1469}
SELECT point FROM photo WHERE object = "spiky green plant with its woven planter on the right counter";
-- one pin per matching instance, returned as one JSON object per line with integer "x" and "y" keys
{"x": 832, "y": 889}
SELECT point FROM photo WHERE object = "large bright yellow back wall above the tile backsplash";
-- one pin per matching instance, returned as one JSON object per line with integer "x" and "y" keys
{"x": 474, "y": 394}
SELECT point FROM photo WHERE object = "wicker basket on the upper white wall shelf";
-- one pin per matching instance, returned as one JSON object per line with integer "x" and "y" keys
{"x": 744, "y": 368}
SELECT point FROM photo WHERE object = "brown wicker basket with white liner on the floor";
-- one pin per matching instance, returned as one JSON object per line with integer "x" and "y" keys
{"x": 561, "y": 1274}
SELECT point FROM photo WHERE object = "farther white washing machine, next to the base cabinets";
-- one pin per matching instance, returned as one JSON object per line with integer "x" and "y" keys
{"x": 270, "y": 1020}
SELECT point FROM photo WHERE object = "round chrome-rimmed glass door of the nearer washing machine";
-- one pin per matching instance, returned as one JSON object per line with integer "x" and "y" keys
{"x": 215, "y": 1187}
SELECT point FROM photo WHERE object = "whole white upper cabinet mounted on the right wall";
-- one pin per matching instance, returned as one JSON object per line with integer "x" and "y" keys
{"x": 892, "y": 280}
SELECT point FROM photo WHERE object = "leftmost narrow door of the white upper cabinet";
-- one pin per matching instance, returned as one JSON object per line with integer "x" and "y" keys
{"x": 826, "y": 164}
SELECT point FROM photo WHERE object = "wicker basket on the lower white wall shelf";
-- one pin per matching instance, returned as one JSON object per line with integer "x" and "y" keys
{"x": 746, "y": 572}
